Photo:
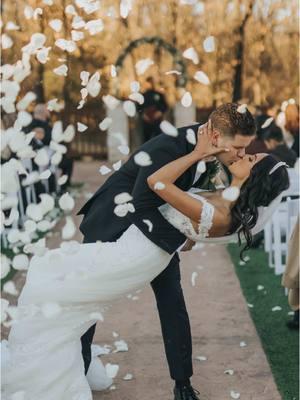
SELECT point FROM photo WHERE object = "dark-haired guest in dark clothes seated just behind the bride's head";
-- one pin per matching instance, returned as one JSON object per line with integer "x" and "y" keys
{"x": 276, "y": 145}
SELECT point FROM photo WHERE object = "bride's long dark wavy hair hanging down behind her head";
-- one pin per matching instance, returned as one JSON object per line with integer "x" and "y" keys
{"x": 260, "y": 189}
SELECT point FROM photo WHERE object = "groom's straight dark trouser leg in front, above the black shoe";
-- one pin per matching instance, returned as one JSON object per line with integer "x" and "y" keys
{"x": 174, "y": 321}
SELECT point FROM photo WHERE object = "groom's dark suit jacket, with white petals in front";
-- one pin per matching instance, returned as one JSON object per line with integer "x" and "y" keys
{"x": 100, "y": 222}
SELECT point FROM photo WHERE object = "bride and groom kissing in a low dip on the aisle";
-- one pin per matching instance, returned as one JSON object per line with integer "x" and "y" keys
{"x": 133, "y": 228}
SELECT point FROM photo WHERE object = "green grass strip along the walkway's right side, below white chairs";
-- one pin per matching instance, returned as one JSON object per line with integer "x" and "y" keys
{"x": 281, "y": 345}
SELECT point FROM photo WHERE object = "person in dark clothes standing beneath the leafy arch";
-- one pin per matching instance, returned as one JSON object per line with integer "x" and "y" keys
{"x": 152, "y": 111}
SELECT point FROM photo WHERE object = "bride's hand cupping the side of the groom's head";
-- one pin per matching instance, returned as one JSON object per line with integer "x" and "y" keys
{"x": 205, "y": 148}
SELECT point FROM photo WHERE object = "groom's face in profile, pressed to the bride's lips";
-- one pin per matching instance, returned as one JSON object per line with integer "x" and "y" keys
{"x": 236, "y": 145}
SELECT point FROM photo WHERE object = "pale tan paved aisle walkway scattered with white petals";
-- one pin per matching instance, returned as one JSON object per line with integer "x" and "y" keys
{"x": 219, "y": 318}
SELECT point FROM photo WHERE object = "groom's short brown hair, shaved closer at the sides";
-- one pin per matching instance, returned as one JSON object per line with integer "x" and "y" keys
{"x": 230, "y": 120}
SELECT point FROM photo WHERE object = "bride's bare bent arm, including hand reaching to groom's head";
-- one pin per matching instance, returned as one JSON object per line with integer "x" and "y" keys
{"x": 169, "y": 173}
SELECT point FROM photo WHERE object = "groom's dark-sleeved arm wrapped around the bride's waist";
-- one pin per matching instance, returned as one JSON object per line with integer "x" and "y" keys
{"x": 146, "y": 202}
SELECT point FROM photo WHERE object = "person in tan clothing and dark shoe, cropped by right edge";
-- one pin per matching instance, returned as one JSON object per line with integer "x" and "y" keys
{"x": 290, "y": 277}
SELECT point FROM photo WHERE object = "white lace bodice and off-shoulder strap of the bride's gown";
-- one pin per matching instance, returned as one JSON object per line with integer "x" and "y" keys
{"x": 183, "y": 223}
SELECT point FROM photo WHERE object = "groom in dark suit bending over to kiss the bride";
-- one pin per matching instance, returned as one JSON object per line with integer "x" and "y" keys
{"x": 231, "y": 129}
